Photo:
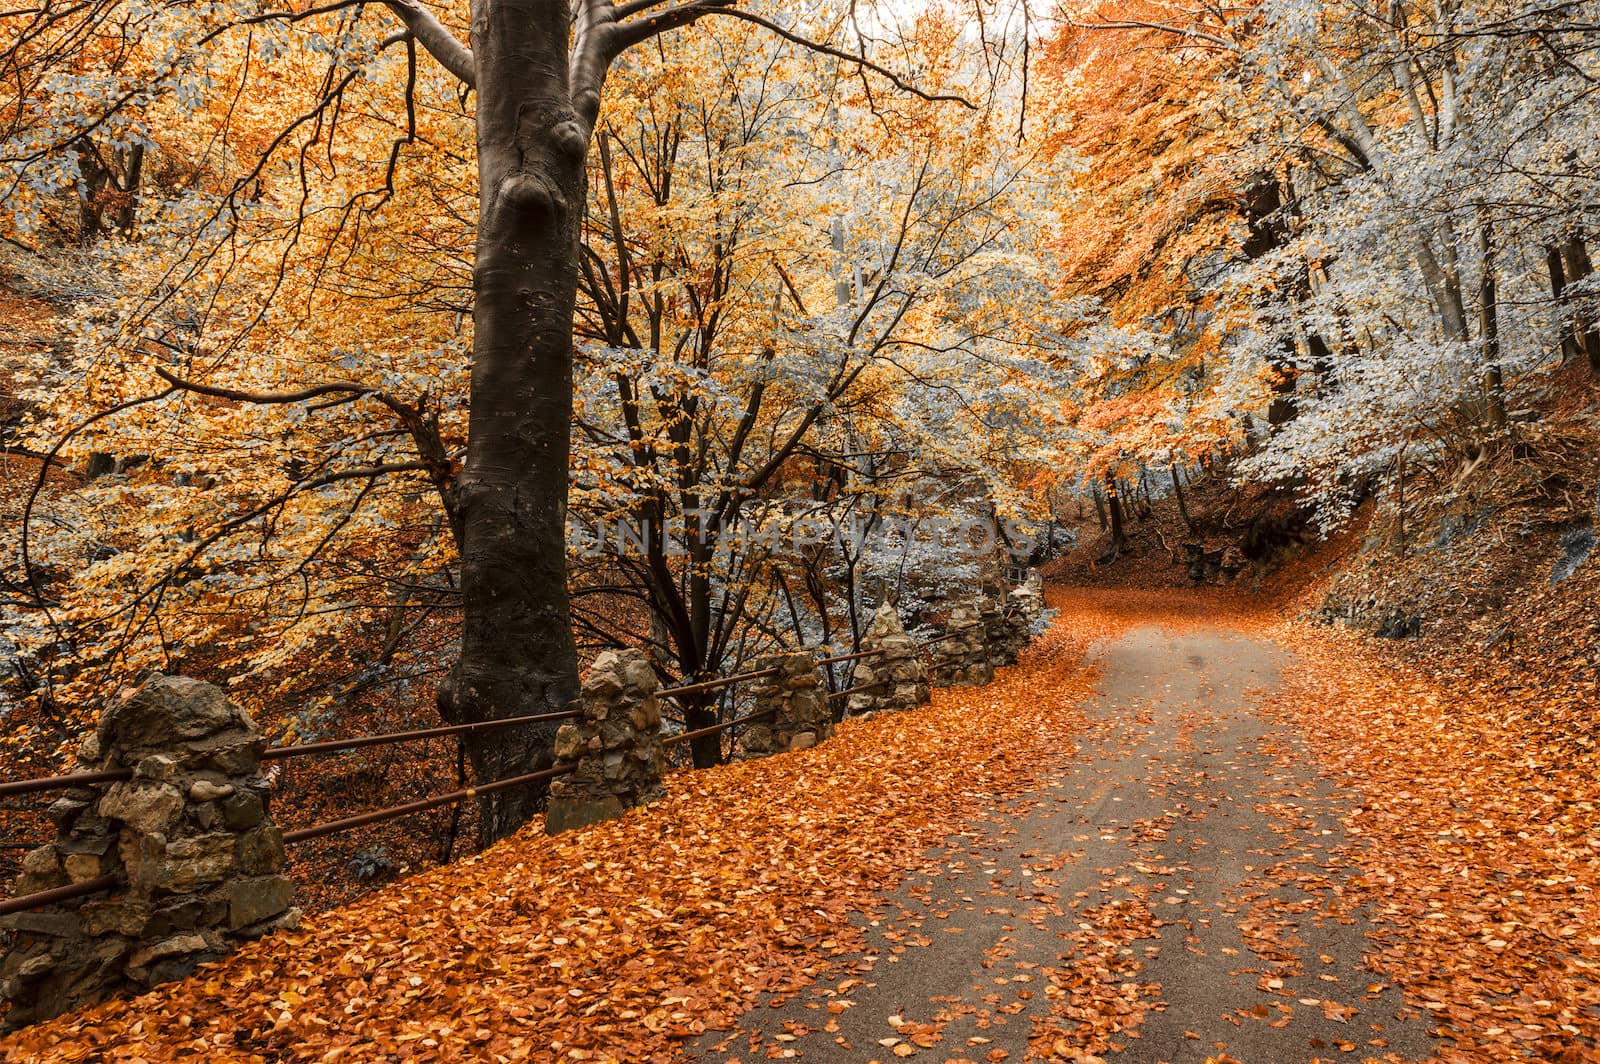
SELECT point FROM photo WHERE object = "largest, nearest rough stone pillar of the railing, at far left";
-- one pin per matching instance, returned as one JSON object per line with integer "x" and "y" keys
{"x": 198, "y": 858}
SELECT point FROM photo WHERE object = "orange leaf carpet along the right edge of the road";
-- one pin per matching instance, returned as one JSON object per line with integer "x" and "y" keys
{"x": 1481, "y": 858}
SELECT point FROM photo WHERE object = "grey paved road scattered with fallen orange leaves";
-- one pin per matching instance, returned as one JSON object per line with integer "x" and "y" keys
{"x": 1177, "y": 895}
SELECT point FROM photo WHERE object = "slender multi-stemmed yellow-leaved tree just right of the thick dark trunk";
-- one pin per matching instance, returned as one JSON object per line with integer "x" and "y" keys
{"x": 778, "y": 271}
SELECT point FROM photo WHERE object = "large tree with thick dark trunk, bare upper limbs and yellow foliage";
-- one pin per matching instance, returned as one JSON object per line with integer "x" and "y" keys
{"x": 316, "y": 175}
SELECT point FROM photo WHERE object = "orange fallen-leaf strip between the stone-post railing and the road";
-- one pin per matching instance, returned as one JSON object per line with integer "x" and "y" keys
{"x": 612, "y": 943}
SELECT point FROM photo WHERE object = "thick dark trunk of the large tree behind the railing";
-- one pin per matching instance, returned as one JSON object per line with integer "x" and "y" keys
{"x": 518, "y": 654}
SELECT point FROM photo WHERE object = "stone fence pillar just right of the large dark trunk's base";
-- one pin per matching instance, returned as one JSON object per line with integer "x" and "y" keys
{"x": 615, "y": 746}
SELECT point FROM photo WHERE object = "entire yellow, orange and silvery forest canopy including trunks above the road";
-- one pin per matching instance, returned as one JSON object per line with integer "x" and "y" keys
{"x": 372, "y": 324}
